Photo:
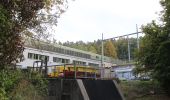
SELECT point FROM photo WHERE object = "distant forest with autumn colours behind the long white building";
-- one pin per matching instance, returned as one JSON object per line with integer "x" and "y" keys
{"x": 112, "y": 48}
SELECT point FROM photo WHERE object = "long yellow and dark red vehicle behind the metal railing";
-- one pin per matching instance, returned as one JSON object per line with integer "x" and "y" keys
{"x": 73, "y": 71}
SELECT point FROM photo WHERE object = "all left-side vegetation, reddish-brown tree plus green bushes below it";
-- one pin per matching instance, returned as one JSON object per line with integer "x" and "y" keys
{"x": 17, "y": 17}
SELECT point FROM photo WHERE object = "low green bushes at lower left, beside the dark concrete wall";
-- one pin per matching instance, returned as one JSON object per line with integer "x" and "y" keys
{"x": 17, "y": 85}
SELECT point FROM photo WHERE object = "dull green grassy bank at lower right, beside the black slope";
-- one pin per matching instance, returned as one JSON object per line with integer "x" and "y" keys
{"x": 142, "y": 90}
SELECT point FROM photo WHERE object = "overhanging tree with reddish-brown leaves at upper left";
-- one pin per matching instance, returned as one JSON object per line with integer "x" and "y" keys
{"x": 16, "y": 16}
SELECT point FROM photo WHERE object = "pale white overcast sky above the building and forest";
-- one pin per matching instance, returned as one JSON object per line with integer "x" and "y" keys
{"x": 86, "y": 20}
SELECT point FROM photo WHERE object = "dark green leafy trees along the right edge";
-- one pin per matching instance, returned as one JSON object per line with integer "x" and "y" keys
{"x": 153, "y": 56}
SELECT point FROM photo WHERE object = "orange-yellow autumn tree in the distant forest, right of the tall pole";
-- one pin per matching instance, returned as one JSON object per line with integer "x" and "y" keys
{"x": 110, "y": 50}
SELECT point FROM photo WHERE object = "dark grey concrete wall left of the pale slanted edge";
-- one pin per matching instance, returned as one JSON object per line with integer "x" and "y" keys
{"x": 64, "y": 90}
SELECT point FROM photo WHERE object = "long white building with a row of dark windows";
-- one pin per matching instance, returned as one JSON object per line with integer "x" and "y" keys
{"x": 57, "y": 54}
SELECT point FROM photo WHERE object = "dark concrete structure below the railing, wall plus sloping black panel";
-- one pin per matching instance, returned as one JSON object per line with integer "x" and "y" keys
{"x": 77, "y": 89}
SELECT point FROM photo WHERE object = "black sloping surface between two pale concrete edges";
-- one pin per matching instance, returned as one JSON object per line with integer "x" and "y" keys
{"x": 101, "y": 90}
